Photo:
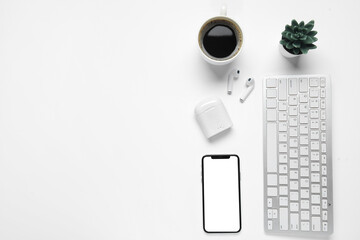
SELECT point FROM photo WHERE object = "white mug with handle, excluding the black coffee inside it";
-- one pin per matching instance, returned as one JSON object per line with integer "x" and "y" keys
{"x": 229, "y": 23}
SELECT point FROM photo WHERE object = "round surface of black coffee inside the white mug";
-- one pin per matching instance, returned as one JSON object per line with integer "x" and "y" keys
{"x": 220, "y": 41}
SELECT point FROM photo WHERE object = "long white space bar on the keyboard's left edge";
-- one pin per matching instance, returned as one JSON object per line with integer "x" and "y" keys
{"x": 271, "y": 147}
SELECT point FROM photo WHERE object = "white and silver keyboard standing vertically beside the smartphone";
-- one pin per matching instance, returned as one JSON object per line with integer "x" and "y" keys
{"x": 297, "y": 155}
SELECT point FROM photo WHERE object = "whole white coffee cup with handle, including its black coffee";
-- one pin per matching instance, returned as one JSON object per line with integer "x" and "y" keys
{"x": 220, "y": 39}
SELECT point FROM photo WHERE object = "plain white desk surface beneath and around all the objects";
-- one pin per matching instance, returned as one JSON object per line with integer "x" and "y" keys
{"x": 97, "y": 133}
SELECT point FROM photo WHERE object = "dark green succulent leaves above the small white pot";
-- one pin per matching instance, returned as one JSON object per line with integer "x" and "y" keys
{"x": 299, "y": 37}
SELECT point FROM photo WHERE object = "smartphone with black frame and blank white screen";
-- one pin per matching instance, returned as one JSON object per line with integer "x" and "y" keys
{"x": 221, "y": 193}
